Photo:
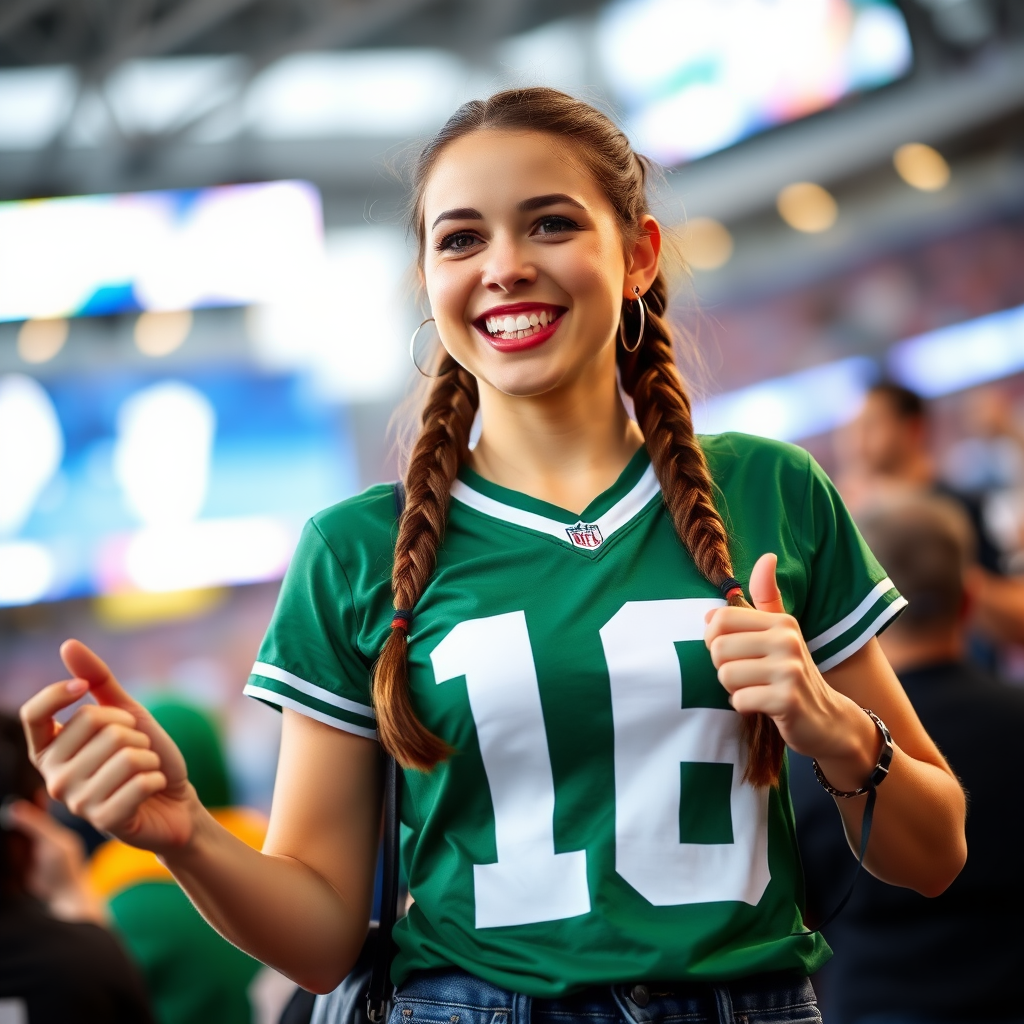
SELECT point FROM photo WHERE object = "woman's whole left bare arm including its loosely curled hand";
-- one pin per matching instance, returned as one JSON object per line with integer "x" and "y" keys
{"x": 303, "y": 906}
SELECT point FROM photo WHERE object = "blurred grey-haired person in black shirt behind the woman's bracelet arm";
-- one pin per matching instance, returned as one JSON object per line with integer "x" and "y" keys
{"x": 900, "y": 957}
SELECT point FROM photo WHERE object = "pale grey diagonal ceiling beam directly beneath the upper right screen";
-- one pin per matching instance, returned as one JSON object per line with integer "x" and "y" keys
{"x": 843, "y": 143}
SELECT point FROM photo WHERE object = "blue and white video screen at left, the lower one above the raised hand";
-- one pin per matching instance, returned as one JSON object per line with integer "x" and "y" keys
{"x": 131, "y": 482}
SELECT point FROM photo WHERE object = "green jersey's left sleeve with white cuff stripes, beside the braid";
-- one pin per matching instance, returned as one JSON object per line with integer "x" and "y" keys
{"x": 309, "y": 660}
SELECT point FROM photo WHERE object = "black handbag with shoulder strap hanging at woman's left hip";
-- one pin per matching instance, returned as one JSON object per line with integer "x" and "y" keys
{"x": 366, "y": 992}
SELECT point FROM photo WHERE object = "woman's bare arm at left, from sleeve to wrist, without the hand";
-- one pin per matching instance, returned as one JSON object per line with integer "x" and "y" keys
{"x": 303, "y": 906}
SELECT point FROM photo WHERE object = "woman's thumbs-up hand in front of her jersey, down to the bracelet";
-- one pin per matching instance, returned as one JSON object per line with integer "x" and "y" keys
{"x": 764, "y": 664}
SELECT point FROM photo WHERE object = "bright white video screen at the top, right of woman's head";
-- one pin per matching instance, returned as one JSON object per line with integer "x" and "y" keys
{"x": 696, "y": 76}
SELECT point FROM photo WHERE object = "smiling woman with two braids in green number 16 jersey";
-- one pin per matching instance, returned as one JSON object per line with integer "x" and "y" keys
{"x": 586, "y": 810}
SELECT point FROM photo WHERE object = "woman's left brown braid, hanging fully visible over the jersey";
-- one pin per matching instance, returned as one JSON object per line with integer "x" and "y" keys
{"x": 440, "y": 451}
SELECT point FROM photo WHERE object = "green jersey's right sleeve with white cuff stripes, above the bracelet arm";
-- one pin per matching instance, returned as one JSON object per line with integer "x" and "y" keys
{"x": 850, "y": 599}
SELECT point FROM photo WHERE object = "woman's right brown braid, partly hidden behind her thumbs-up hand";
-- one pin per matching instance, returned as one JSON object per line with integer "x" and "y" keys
{"x": 651, "y": 377}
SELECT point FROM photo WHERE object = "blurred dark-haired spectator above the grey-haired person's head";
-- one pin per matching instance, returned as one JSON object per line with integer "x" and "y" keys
{"x": 887, "y": 455}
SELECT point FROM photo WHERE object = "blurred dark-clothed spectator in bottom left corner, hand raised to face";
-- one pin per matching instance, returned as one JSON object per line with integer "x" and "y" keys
{"x": 58, "y": 964}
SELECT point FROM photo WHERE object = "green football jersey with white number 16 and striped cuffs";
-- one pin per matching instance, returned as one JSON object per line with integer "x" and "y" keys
{"x": 593, "y": 826}
